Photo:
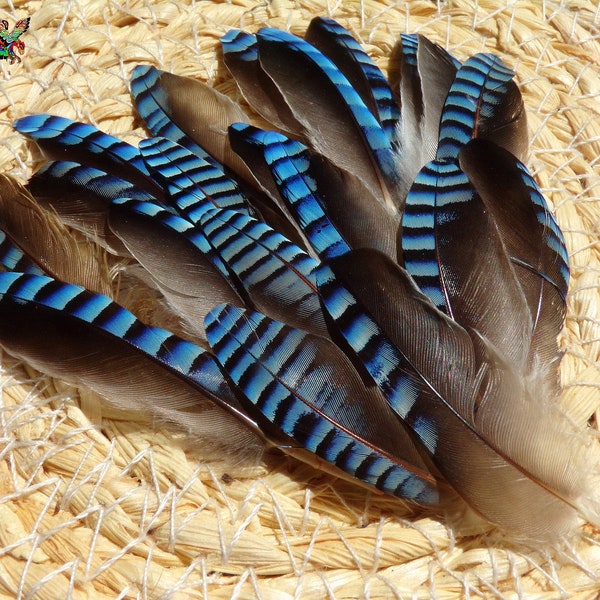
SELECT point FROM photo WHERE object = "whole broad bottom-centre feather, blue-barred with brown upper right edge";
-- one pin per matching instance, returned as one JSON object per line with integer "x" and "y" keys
{"x": 302, "y": 385}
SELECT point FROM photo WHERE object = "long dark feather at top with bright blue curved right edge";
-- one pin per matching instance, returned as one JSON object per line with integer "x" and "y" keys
{"x": 340, "y": 120}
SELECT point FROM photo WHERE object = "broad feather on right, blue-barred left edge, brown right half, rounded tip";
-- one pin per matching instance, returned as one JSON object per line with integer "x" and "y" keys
{"x": 446, "y": 230}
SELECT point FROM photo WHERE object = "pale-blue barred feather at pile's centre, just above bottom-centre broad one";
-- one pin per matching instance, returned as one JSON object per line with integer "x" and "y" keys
{"x": 279, "y": 277}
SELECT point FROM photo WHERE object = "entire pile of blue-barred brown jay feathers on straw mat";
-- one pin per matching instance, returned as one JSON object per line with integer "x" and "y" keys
{"x": 375, "y": 285}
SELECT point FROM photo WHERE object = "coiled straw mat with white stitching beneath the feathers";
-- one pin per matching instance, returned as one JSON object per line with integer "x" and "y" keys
{"x": 94, "y": 503}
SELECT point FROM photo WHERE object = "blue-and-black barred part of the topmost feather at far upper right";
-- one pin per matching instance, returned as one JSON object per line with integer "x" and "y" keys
{"x": 480, "y": 84}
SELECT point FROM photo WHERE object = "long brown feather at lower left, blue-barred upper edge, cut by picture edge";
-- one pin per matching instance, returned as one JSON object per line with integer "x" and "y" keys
{"x": 87, "y": 335}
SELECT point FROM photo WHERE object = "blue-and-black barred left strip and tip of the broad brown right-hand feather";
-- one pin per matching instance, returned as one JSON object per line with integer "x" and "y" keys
{"x": 436, "y": 189}
